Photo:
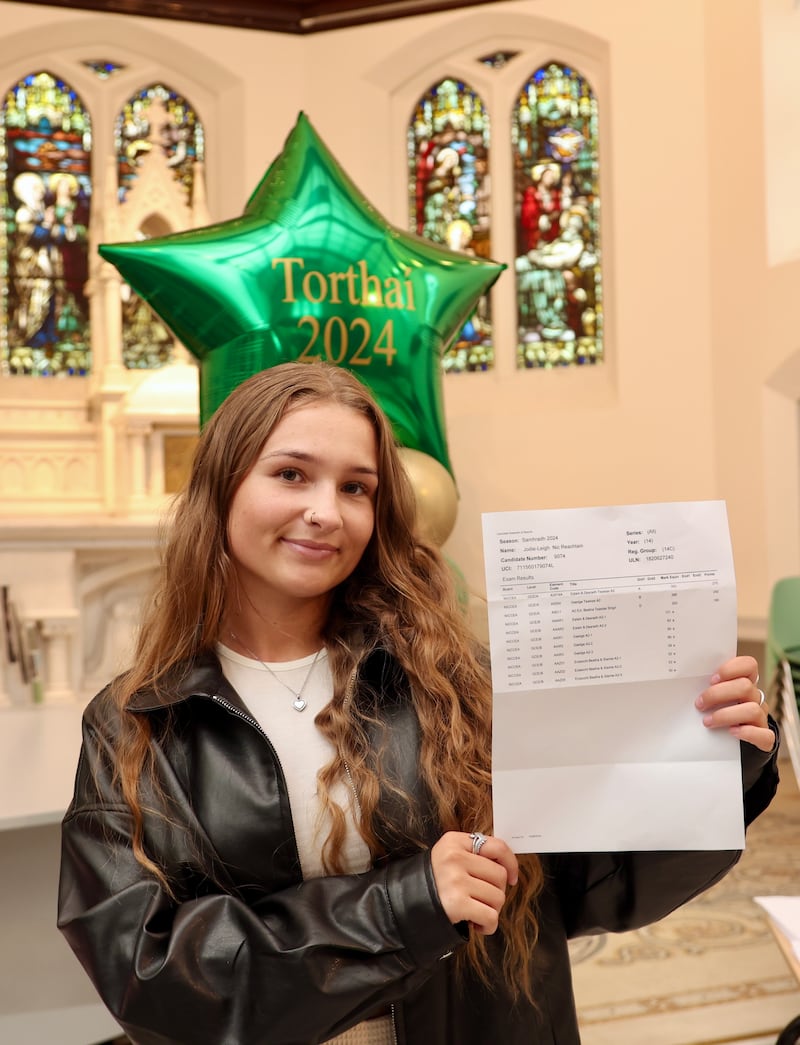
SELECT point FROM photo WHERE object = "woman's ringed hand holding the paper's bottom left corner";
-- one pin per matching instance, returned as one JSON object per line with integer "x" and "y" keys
{"x": 473, "y": 886}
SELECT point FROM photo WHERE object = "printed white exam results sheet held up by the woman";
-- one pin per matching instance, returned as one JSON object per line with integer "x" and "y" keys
{"x": 605, "y": 625}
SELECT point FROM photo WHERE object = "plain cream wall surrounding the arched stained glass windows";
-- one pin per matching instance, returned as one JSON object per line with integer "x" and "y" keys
{"x": 683, "y": 408}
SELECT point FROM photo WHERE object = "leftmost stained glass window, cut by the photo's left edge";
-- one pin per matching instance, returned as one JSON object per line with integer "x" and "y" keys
{"x": 45, "y": 193}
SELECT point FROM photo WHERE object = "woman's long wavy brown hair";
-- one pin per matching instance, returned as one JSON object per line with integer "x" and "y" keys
{"x": 402, "y": 598}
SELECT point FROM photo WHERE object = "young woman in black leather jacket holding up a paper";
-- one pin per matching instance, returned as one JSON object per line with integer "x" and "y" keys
{"x": 276, "y": 835}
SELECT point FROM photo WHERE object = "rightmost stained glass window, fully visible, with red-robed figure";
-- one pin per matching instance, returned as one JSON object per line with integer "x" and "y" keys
{"x": 557, "y": 201}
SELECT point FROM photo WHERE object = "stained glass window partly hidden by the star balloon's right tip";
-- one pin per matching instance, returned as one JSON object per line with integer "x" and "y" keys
{"x": 449, "y": 168}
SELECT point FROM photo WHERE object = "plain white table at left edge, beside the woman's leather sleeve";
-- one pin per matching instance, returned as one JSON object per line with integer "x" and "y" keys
{"x": 45, "y": 996}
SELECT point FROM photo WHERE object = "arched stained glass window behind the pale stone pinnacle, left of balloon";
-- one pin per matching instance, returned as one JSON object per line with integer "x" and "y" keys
{"x": 155, "y": 118}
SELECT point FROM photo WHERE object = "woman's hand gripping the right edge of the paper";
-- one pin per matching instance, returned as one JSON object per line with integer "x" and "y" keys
{"x": 735, "y": 703}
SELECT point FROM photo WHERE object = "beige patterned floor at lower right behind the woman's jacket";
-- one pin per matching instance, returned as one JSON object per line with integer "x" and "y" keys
{"x": 712, "y": 972}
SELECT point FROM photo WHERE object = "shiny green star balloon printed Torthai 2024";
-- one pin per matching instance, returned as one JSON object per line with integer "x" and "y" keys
{"x": 311, "y": 271}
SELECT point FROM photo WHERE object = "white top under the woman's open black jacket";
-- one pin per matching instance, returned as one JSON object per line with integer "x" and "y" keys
{"x": 300, "y": 746}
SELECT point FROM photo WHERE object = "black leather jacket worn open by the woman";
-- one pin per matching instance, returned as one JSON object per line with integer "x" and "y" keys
{"x": 248, "y": 954}
